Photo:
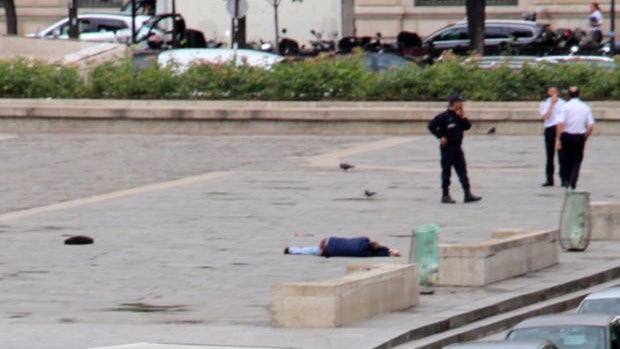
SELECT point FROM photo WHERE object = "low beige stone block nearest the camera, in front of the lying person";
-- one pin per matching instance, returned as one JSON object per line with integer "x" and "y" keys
{"x": 367, "y": 290}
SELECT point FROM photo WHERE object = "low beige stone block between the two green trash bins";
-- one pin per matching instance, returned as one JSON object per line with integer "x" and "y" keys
{"x": 509, "y": 253}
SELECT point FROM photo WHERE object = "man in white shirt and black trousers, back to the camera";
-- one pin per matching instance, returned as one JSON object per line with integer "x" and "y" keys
{"x": 575, "y": 125}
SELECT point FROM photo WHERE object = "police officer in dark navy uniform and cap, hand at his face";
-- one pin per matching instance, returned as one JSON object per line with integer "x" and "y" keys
{"x": 448, "y": 127}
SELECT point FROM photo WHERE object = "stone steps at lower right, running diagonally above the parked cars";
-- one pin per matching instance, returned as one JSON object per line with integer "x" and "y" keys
{"x": 522, "y": 301}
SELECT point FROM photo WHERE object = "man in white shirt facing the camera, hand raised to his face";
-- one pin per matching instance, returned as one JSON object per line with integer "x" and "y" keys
{"x": 550, "y": 109}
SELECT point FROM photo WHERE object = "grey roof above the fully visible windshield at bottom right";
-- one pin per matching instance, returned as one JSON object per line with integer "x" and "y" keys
{"x": 555, "y": 320}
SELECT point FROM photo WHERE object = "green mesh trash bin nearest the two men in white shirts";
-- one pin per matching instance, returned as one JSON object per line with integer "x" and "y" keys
{"x": 575, "y": 221}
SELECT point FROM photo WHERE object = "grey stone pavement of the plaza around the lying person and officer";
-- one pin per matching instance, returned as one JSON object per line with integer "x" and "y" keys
{"x": 189, "y": 230}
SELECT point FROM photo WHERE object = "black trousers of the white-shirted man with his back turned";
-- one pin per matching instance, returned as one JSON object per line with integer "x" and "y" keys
{"x": 571, "y": 157}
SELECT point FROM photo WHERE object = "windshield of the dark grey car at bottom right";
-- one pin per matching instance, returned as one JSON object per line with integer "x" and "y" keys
{"x": 564, "y": 337}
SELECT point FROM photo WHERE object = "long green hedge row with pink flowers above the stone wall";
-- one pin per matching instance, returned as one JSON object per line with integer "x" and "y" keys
{"x": 324, "y": 78}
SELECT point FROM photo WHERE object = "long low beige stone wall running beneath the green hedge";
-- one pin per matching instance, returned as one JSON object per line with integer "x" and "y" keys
{"x": 259, "y": 117}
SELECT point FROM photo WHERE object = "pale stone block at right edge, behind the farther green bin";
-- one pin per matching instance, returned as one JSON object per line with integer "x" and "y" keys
{"x": 605, "y": 220}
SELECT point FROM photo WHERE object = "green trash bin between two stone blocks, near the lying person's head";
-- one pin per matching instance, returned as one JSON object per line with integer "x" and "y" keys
{"x": 423, "y": 252}
